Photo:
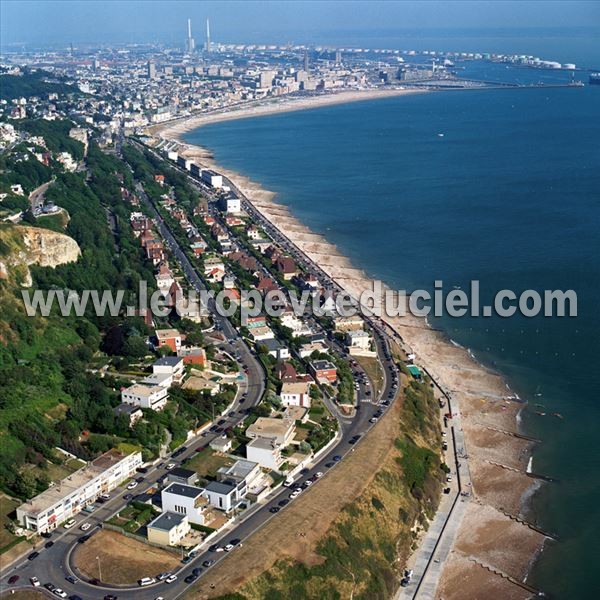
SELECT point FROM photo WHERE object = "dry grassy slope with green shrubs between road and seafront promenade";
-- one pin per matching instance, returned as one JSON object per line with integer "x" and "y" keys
{"x": 366, "y": 547}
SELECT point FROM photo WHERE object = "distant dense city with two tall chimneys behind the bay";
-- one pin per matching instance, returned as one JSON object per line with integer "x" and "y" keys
{"x": 142, "y": 85}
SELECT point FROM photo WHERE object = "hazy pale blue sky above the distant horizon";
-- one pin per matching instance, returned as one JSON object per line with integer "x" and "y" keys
{"x": 48, "y": 21}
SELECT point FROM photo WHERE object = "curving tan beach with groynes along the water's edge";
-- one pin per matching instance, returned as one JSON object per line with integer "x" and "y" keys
{"x": 489, "y": 535}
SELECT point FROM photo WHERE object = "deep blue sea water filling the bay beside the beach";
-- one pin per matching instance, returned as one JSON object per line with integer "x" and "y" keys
{"x": 509, "y": 196}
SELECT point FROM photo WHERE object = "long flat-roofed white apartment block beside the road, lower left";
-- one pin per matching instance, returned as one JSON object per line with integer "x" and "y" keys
{"x": 59, "y": 503}
